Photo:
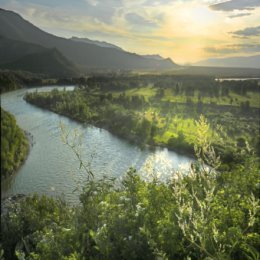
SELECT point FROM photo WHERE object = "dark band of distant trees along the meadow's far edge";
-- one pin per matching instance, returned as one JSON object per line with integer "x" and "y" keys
{"x": 185, "y": 84}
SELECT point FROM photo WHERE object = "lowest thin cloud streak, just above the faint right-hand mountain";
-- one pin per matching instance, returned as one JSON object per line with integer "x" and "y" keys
{"x": 234, "y": 48}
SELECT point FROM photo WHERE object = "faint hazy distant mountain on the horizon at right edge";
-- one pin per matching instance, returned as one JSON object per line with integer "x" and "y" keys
{"x": 235, "y": 62}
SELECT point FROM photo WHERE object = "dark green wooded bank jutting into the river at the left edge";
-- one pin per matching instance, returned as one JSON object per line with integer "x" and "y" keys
{"x": 14, "y": 144}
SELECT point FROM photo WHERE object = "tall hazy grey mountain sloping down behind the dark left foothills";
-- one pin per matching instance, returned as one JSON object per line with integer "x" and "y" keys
{"x": 86, "y": 55}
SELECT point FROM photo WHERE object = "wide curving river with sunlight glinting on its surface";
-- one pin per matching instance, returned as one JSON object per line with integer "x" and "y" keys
{"x": 52, "y": 168}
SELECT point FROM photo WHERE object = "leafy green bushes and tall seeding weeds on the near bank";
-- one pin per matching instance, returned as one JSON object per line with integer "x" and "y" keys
{"x": 205, "y": 214}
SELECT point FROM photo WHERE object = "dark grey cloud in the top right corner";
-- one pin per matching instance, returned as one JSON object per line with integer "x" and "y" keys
{"x": 232, "y": 5}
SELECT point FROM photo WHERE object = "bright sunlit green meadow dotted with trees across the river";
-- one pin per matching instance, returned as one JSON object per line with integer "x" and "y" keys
{"x": 229, "y": 123}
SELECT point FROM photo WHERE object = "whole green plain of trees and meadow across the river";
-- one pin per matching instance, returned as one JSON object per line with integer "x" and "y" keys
{"x": 163, "y": 110}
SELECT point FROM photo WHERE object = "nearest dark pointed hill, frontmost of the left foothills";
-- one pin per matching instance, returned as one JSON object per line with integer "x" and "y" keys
{"x": 49, "y": 61}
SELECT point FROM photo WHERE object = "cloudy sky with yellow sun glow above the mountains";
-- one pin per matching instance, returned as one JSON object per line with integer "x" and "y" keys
{"x": 186, "y": 31}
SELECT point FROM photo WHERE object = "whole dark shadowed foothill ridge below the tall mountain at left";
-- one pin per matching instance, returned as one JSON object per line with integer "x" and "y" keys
{"x": 17, "y": 55}
